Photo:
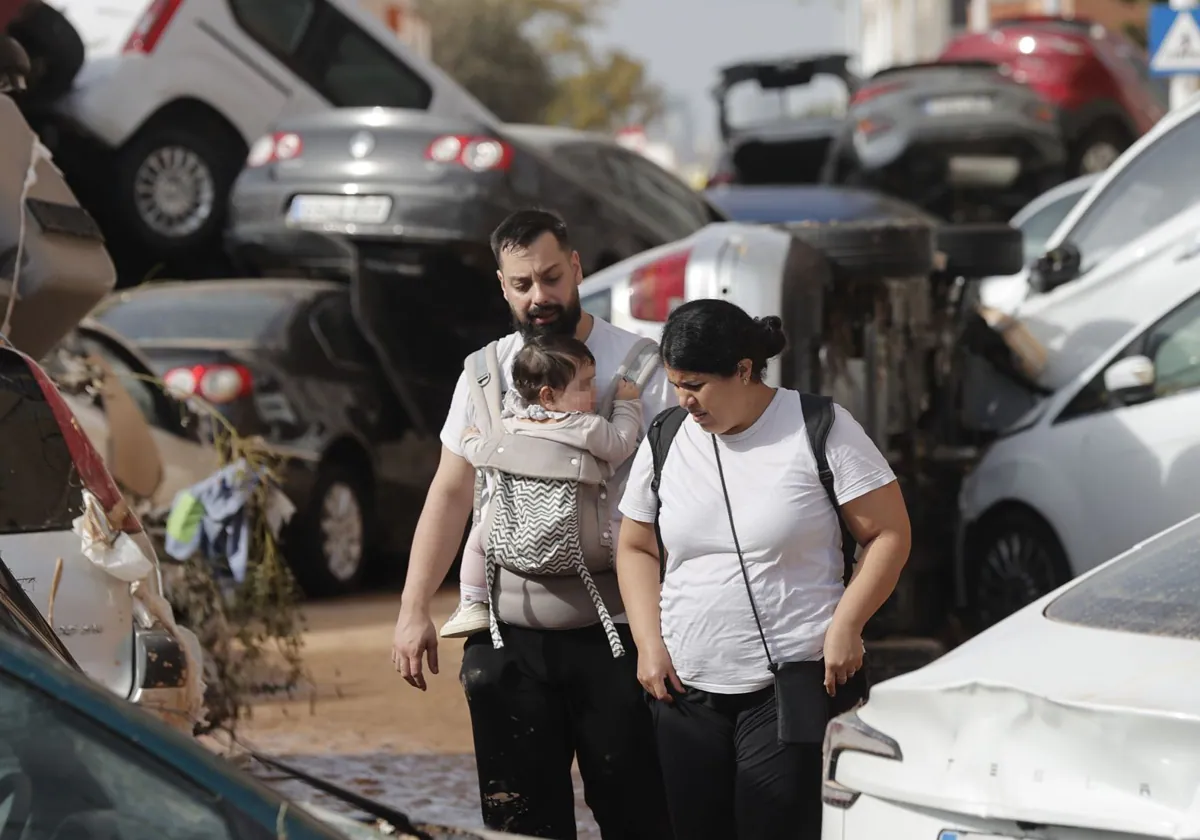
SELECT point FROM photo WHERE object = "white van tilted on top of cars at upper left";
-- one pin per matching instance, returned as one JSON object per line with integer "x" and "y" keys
{"x": 179, "y": 92}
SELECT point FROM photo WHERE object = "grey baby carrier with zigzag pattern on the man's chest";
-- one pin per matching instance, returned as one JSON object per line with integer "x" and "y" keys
{"x": 549, "y": 512}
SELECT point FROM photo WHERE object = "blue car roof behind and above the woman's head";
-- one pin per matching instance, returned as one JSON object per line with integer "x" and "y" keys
{"x": 813, "y": 203}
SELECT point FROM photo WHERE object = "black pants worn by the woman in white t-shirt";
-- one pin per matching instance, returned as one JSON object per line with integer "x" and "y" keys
{"x": 727, "y": 773}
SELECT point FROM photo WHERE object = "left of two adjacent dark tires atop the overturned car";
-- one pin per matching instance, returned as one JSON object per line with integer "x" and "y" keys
{"x": 872, "y": 250}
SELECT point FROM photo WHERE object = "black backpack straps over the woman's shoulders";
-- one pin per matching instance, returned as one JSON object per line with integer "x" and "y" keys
{"x": 818, "y": 422}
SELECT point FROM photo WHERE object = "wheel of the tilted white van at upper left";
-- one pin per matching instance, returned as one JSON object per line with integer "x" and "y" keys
{"x": 173, "y": 183}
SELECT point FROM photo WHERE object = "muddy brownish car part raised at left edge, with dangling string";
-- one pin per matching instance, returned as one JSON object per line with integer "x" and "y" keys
{"x": 64, "y": 268}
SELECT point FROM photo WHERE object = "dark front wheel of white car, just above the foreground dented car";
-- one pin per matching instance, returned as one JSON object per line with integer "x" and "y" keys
{"x": 1017, "y": 560}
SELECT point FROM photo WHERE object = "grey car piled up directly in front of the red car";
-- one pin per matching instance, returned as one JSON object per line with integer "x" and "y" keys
{"x": 961, "y": 140}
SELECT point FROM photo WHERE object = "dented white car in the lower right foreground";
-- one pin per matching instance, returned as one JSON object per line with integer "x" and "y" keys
{"x": 1075, "y": 718}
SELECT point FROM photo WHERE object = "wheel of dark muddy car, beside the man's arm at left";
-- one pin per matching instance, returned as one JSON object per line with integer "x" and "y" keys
{"x": 333, "y": 543}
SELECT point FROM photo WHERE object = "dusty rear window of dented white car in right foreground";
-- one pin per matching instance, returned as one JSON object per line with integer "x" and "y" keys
{"x": 1154, "y": 591}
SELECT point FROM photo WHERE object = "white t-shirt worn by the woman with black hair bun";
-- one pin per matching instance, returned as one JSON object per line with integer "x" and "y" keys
{"x": 790, "y": 537}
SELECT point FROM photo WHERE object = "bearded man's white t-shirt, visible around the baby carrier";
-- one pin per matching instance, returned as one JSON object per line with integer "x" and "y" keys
{"x": 610, "y": 346}
